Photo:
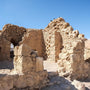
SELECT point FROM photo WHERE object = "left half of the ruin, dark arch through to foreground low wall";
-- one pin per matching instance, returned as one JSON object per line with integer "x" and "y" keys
{"x": 28, "y": 68}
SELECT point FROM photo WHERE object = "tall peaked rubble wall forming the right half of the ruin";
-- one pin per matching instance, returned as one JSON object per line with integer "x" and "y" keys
{"x": 72, "y": 49}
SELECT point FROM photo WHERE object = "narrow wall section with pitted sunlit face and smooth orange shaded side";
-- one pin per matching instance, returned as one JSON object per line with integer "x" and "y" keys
{"x": 53, "y": 43}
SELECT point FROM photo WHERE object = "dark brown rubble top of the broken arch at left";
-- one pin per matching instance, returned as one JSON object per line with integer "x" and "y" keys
{"x": 13, "y": 33}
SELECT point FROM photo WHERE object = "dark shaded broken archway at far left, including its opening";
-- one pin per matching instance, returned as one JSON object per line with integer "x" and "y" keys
{"x": 10, "y": 37}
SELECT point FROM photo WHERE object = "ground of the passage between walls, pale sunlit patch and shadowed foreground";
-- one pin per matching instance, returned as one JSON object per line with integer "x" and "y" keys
{"x": 57, "y": 82}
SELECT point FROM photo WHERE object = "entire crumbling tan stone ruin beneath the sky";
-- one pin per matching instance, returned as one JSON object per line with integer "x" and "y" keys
{"x": 57, "y": 42}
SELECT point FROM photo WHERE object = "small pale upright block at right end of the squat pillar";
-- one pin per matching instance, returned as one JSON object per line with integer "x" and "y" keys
{"x": 39, "y": 64}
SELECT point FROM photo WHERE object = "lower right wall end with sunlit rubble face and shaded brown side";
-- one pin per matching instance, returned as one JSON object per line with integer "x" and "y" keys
{"x": 71, "y": 62}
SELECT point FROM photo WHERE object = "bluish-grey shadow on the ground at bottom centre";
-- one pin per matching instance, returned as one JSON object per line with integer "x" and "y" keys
{"x": 58, "y": 83}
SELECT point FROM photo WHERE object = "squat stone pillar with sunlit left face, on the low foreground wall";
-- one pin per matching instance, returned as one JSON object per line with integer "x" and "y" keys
{"x": 25, "y": 62}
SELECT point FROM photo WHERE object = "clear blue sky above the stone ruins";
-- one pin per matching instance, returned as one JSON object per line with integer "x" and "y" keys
{"x": 38, "y": 13}
